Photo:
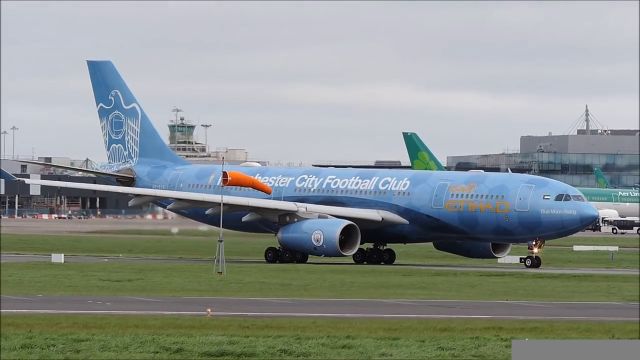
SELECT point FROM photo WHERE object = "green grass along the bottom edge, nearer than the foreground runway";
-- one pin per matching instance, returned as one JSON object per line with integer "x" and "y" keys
{"x": 110, "y": 337}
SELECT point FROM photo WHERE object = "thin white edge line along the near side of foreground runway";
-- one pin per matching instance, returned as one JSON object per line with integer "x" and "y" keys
{"x": 275, "y": 314}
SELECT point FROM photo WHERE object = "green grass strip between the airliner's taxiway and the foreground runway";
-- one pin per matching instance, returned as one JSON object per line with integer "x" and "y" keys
{"x": 308, "y": 281}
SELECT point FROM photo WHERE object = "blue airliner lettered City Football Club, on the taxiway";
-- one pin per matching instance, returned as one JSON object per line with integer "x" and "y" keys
{"x": 324, "y": 211}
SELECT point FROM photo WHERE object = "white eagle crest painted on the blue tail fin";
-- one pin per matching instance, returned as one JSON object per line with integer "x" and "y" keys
{"x": 120, "y": 124}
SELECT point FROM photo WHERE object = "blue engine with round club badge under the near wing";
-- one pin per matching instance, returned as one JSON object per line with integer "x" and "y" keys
{"x": 321, "y": 237}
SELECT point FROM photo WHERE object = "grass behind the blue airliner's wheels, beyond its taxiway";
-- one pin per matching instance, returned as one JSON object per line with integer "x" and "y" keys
{"x": 201, "y": 244}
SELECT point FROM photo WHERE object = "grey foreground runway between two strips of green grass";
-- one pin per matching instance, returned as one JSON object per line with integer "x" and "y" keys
{"x": 339, "y": 308}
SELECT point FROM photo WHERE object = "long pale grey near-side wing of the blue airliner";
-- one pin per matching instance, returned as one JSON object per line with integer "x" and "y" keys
{"x": 184, "y": 199}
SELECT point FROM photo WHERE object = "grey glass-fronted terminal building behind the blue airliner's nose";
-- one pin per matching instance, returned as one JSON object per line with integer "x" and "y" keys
{"x": 568, "y": 158}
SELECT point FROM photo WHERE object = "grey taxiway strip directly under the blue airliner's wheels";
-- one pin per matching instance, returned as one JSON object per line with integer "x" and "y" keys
{"x": 20, "y": 258}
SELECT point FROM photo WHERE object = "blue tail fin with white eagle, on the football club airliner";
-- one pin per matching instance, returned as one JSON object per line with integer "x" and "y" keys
{"x": 128, "y": 134}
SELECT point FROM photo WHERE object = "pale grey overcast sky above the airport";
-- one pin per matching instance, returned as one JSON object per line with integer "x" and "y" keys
{"x": 326, "y": 81}
